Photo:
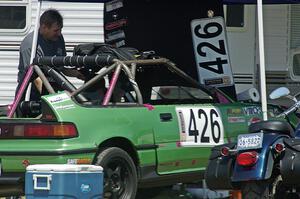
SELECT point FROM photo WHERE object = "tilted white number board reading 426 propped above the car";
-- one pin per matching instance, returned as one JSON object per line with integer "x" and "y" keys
{"x": 211, "y": 51}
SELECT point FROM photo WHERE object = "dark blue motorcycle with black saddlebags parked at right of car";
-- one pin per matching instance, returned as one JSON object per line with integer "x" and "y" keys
{"x": 265, "y": 163}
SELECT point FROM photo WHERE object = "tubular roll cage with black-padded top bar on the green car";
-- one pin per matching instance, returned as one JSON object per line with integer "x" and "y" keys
{"x": 112, "y": 67}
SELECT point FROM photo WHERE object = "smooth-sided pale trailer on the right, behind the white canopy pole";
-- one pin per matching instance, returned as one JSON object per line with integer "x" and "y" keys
{"x": 282, "y": 45}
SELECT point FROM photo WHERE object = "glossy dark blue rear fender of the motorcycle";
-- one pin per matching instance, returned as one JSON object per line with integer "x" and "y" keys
{"x": 264, "y": 166}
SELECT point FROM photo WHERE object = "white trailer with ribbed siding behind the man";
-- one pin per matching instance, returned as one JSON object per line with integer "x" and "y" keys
{"x": 83, "y": 22}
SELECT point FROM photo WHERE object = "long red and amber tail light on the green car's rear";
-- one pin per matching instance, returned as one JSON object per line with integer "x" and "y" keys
{"x": 38, "y": 130}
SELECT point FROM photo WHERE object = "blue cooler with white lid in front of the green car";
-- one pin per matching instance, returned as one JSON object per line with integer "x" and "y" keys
{"x": 63, "y": 181}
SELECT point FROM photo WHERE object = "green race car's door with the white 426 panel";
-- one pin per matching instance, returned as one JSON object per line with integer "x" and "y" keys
{"x": 184, "y": 135}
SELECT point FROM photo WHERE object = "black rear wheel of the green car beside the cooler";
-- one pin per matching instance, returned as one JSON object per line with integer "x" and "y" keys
{"x": 120, "y": 176}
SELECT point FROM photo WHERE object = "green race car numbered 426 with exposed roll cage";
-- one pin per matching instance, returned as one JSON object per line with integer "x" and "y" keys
{"x": 154, "y": 125}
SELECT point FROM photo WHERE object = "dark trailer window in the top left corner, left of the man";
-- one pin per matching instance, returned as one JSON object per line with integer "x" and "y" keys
{"x": 12, "y": 17}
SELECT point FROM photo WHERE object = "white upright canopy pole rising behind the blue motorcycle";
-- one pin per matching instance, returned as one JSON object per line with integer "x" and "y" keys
{"x": 263, "y": 90}
